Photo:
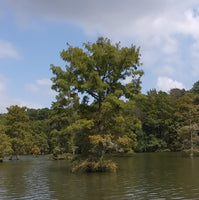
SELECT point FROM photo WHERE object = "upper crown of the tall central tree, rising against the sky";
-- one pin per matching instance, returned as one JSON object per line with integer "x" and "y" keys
{"x": 98, "y": 71}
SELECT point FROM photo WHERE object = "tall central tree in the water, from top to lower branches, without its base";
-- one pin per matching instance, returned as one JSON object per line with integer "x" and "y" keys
{"x": 99, "y": 83}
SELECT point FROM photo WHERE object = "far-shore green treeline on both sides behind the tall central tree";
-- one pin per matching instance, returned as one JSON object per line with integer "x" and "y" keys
{"x": 164, "y": 122}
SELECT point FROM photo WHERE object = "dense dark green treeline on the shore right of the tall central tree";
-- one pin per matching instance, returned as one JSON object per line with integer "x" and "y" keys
{"x": 169, "y": 121}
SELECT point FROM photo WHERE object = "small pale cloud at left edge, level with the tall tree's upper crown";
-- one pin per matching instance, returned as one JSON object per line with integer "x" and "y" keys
{"x": 7, "y": 50}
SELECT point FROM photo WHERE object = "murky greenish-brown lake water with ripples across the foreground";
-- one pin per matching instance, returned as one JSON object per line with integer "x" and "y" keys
{"x": 147, "y": 176}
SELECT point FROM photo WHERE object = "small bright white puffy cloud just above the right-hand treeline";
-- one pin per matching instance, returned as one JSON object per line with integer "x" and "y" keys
{"x": 166, "y": 84}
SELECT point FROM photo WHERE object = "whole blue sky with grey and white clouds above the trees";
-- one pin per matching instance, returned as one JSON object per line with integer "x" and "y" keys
{"x": 34, "y": 32}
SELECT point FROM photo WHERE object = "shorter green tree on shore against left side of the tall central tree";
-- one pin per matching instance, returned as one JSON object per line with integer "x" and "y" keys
{"x": 62, "y": 116}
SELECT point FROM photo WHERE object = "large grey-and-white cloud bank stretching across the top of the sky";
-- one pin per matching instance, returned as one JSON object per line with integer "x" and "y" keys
{"x": 154, "y": 24}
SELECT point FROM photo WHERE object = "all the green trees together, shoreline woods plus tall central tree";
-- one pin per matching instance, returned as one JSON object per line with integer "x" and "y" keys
{"x": 100, "y": 110}
